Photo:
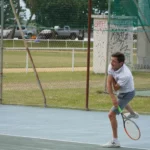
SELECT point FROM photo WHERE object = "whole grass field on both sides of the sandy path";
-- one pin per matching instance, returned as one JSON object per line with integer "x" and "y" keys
{"x": 62, "y": 89}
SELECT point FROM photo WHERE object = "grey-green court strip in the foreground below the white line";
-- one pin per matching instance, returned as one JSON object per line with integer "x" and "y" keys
{"x": 22, "y": 143}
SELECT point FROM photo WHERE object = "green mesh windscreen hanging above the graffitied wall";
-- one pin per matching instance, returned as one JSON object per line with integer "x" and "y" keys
{"x": 134, "y": 13}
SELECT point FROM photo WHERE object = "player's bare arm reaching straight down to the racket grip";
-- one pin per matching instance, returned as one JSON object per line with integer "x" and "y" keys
{"x": 110, "y": 90}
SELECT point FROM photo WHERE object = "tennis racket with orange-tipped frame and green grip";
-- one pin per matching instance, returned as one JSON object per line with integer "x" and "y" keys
{"x": 130, "y": 127}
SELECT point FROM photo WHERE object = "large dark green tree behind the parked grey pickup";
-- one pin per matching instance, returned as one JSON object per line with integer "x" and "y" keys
{"x": 50, "y": 13}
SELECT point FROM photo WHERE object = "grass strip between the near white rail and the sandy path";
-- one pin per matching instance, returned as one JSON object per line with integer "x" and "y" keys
{"x": 45, "y": 59}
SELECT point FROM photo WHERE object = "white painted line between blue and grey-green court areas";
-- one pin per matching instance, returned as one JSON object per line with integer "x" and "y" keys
{"x": 65, "y": 141}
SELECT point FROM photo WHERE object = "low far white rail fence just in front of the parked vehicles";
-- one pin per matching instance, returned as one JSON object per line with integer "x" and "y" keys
{"x": 17, "y": 44}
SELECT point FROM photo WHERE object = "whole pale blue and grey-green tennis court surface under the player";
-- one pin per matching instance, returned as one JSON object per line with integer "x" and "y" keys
{"x": 34, "y": 128}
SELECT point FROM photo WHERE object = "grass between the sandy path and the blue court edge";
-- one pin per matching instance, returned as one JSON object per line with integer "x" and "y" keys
{"x": 66, "y": 90}
